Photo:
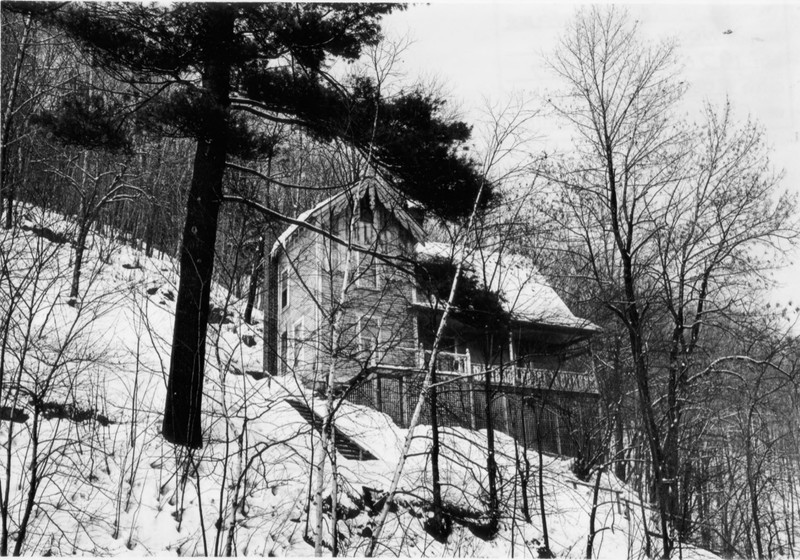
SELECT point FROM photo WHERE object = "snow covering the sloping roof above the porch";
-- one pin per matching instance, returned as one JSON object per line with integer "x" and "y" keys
{"x": 527, "y": 295}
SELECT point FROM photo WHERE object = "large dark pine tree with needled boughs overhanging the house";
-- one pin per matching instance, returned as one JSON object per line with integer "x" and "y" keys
{"x": 213, "y": 72}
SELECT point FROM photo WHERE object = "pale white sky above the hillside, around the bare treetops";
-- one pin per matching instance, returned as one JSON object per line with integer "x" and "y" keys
{"x": 488, "y": 50}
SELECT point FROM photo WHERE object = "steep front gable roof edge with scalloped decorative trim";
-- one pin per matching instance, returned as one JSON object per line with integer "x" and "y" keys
{"x": 377, "y": 191}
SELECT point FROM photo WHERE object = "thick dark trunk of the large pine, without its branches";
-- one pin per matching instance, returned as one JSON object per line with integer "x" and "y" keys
{"x": 182, "y": 414}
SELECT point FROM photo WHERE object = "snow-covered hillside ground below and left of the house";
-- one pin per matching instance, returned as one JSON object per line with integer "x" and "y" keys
{"x": 107, "y": 483}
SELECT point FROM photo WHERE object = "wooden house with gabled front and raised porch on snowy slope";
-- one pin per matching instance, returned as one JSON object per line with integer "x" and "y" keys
{"x": 351, "y": 299}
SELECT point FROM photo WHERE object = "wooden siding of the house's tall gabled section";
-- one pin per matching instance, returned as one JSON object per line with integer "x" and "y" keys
{"x": 373, "y": 320}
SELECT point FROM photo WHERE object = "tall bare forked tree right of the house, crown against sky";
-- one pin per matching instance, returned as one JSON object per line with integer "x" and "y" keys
{"x": 672, "y": 218}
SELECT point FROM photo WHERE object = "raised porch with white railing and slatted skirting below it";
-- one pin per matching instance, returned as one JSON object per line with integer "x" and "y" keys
{"x": 556, "y": 411}
